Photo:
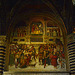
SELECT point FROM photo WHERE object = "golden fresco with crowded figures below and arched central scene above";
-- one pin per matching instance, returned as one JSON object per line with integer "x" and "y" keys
{"x": 44, "y": 50}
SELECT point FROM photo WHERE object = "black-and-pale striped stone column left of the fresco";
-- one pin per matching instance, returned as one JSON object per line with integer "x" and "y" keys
{"x": 2, "y": 53}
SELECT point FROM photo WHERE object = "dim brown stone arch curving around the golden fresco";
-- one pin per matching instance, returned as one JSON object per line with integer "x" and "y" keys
{"x": 54, "y": 17}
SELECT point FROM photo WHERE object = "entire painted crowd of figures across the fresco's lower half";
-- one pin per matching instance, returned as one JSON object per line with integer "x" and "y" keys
{"x": 23, "y": 55}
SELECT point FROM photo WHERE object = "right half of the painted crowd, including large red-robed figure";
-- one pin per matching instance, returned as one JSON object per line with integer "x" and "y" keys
{"x": 51, "y": 55}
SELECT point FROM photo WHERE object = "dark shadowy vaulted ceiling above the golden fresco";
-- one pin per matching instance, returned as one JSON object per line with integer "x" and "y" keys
{"x": 10, "y": 8}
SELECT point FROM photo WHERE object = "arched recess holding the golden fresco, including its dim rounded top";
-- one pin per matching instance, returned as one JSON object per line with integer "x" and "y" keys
{"x": 36, "y": 37}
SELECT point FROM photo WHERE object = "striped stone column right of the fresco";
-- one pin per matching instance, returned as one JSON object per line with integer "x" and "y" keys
{"x": 71, "y": 52}
